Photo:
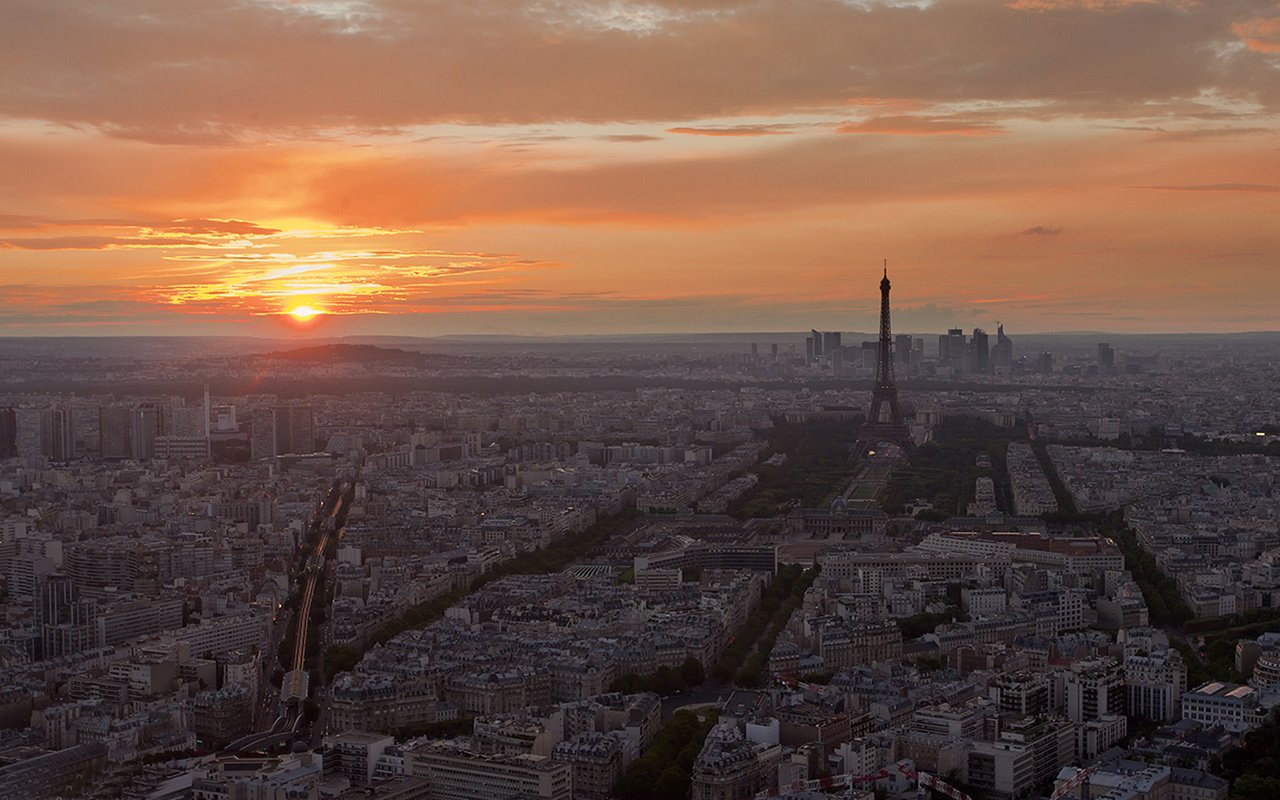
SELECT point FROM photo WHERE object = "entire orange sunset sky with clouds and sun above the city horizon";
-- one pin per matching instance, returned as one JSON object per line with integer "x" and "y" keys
{"x": 568, "y": 167}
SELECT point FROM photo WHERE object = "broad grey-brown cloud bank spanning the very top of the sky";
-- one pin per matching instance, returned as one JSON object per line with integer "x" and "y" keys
{"x": 264, "y": 72}
